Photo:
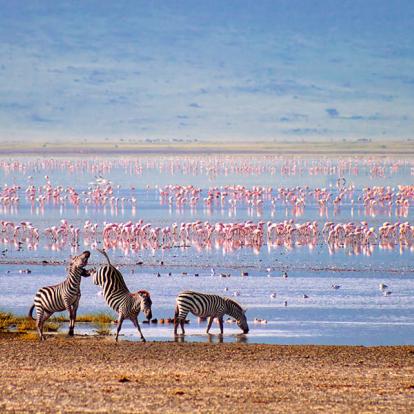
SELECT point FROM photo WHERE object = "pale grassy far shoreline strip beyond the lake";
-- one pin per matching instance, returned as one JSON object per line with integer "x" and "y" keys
{"x": 304, "y": 148}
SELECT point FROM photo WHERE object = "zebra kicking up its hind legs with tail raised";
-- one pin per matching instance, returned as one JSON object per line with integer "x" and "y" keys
{"x": 119, "y": 298}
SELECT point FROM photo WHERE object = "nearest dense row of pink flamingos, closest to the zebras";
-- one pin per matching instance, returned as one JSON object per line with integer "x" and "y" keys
{"x": 135, "y": 236}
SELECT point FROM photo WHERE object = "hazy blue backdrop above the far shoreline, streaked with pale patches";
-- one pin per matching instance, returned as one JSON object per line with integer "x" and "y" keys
{"x": 248, "y": 70}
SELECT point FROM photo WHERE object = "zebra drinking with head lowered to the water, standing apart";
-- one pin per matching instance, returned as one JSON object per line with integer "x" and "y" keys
{"x": 206, "y": 305}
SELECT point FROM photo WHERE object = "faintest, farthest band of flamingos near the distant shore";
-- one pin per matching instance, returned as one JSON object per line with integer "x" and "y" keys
{"x": 212, "y": 166}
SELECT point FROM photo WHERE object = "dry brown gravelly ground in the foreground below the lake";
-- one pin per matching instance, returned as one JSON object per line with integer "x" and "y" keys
{"x": 96, "y": 375}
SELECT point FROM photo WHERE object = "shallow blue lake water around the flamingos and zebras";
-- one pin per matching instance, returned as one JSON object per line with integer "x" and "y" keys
{"x": 358, "y": 312}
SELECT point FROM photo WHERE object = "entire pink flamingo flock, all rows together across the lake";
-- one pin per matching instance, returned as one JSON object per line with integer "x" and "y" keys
{"x": 135, "y": 235}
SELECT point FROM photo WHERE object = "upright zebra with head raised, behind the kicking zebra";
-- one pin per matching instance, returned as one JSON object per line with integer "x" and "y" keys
{"x": 64, "y": 296}
